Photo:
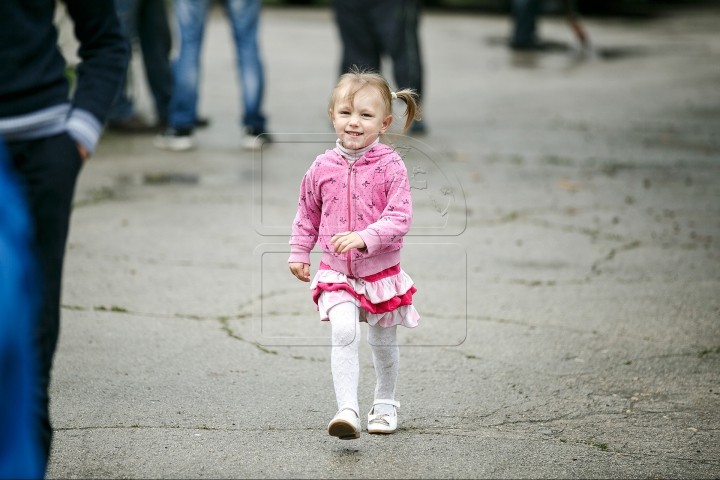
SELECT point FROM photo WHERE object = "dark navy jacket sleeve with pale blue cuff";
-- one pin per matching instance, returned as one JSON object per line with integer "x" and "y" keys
{"x": 104, "y": 54}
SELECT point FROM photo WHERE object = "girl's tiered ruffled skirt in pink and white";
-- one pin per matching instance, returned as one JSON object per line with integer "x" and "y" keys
{"x": 384, "y": 298}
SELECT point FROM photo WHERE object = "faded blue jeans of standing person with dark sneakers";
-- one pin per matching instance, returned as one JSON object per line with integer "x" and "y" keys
{"x": 191, "y": 15}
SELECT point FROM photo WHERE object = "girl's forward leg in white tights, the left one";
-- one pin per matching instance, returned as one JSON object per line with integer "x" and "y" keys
{"x": 344, "y": 357}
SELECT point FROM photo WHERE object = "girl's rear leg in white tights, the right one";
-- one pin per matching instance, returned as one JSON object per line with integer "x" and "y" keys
{"x": 386, "y": 357}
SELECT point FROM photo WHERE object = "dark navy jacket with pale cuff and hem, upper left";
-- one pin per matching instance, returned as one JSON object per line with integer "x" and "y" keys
{"x": 32, "y": 69}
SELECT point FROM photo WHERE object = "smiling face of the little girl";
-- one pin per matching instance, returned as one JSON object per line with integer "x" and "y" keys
{"x": 357, "y": 125}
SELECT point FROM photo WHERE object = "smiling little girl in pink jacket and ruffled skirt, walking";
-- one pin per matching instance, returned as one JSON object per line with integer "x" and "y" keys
{"x": 355, "y": 201}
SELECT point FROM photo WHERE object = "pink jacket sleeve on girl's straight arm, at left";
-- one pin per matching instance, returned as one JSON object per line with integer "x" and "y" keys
{"x": 307, "y": 221}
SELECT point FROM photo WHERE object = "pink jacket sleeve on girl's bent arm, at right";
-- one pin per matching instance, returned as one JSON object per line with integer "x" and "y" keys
{"x": 396, "y": 218}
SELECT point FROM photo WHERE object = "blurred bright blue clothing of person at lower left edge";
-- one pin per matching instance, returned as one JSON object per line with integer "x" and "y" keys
{"x": 20, "y": 452}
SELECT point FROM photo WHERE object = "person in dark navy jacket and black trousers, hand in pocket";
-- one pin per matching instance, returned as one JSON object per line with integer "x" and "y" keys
{"x": 50, "y": 134}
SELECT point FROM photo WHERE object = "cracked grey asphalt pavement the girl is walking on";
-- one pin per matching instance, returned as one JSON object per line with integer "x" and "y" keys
{"x": 565, "y": 247}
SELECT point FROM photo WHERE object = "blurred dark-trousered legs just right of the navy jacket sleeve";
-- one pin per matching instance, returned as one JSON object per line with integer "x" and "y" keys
{"x": 146, "y": 21}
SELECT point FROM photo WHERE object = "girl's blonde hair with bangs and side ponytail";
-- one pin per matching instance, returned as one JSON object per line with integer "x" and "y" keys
{"x": 357, "y": 79}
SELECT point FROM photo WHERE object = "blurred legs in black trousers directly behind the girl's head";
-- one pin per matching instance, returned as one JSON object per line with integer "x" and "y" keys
{"x": 370, "y": 29}
